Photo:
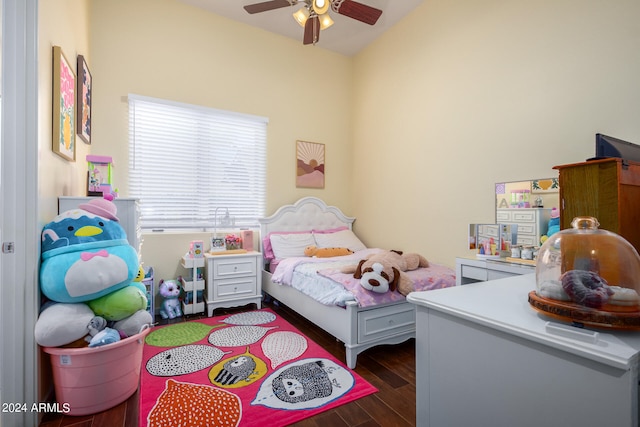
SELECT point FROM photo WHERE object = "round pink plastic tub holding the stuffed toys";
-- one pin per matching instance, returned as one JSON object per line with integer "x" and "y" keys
{"x": 91, "y": 380}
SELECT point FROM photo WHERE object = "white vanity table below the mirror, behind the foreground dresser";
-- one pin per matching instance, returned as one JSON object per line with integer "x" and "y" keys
{"x": 472, "y": 270}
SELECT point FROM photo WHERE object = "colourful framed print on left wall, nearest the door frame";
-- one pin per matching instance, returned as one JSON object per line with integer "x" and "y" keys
{"x": 64, "y": 100}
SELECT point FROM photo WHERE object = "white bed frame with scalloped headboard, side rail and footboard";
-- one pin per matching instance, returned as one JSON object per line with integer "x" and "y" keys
{"x": 357, "y": 327}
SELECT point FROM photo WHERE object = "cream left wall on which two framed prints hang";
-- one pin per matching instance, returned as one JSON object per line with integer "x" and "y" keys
{"x": 63, "y": 23}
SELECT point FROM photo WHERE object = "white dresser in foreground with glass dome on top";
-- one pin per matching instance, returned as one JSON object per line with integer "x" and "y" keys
{"x": 484, "y": 357}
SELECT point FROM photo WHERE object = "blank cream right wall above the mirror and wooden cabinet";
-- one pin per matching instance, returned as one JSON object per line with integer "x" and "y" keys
{"x": 463, "y": 94}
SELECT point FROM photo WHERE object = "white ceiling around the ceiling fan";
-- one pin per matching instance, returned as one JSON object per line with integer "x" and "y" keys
{"x": 347, "y": 36}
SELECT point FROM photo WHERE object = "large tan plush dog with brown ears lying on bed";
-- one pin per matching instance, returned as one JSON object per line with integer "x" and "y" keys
{"x": 384, "y": 272}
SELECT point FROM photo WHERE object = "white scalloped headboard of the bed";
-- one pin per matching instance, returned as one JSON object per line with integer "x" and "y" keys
{"x": 307, "y": 213}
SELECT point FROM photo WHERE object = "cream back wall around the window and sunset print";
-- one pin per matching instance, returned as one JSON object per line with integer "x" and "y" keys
{"x": 166, "y": 49}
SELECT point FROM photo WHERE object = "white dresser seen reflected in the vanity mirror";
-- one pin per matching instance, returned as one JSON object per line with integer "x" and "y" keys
{"x": 532, "y": 223}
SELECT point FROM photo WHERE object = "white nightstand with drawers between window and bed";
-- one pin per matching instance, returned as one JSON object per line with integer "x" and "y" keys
{"x": 233, "y": 280}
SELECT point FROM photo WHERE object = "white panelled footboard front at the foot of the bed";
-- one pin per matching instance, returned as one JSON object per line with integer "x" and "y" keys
{"x": 393, "y": 319}
